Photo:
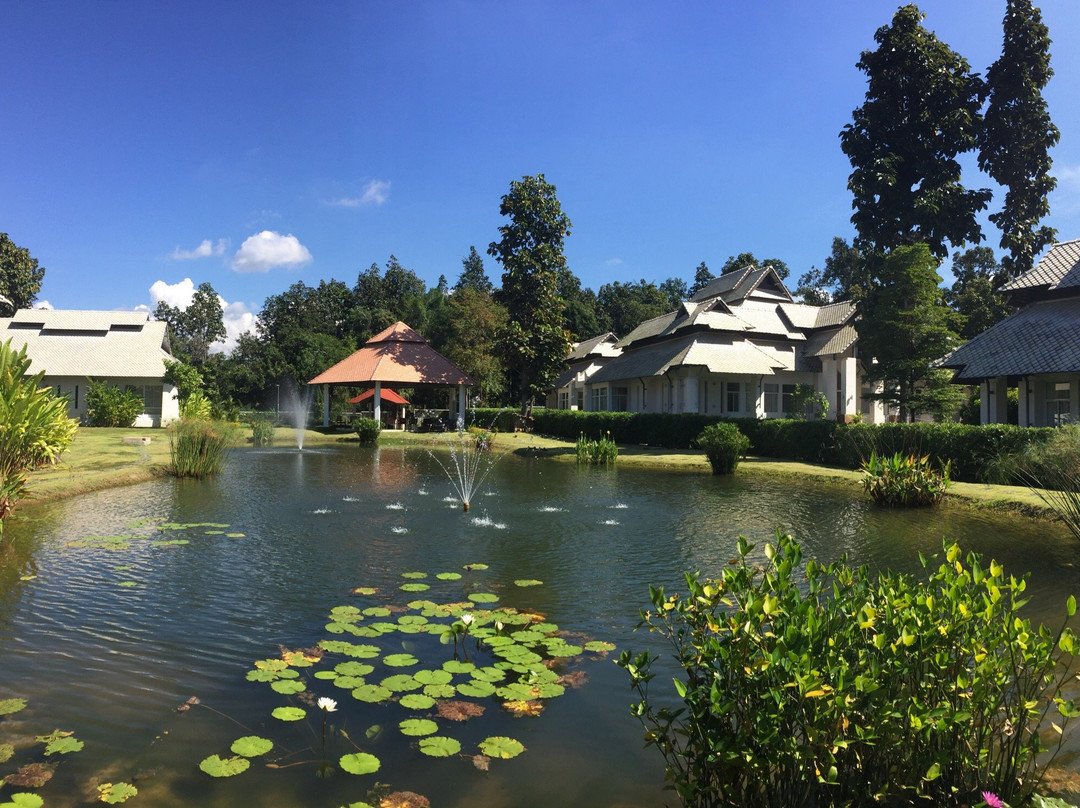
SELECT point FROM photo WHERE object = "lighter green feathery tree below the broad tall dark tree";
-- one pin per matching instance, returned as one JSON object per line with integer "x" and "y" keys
{"x": 906, "y": 326}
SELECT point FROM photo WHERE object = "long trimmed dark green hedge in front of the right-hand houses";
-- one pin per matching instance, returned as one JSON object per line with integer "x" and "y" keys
{"x": 969, "y": 448}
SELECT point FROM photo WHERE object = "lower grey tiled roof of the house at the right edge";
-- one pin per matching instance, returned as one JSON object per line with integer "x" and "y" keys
{"x": 1043, "y": 338}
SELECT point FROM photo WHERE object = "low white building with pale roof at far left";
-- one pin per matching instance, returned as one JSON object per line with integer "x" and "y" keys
{"x": 124, "y": 348}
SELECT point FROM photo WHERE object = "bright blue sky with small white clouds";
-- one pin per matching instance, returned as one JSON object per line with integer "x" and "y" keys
{"x": 151, "y": 147}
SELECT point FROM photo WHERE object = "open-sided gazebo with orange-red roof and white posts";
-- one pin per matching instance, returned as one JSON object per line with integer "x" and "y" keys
{"x": 399, "y": 357}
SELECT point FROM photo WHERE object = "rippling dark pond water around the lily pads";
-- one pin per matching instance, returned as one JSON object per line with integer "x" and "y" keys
{"x": 107, "y": 638}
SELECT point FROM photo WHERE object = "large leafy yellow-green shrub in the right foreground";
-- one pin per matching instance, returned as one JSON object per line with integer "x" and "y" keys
{"x": 830, "y": 686}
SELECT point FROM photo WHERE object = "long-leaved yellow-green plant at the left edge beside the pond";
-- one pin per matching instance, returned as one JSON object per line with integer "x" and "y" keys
{"x": 35, "y": 427}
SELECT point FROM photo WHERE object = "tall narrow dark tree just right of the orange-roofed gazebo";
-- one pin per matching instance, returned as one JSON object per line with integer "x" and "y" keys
{"x": 534, "y": 343}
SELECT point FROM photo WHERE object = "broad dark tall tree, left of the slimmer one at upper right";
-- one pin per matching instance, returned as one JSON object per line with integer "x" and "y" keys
{"x": 922, "y": 112}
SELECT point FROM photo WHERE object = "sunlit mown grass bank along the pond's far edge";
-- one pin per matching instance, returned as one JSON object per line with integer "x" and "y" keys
{"x": 102, "y": 459}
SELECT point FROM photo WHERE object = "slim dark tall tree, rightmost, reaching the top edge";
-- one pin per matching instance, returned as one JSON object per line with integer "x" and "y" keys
{"x": 1018, "y": 134}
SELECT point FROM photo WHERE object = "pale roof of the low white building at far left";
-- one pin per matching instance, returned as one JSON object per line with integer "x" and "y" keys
{"x": 90, "y": 344}
